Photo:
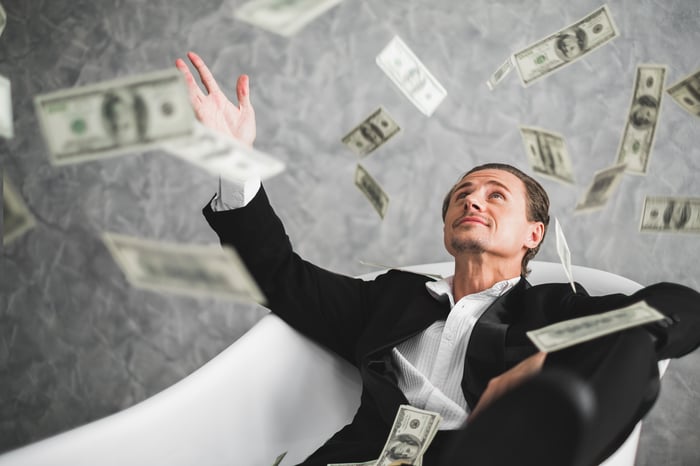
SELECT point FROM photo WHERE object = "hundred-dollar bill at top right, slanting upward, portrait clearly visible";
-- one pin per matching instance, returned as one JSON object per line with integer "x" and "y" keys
{"x": 566, "y": 46}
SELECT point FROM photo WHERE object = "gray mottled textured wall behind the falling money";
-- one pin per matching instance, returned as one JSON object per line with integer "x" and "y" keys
{"x": 77, "y": 343}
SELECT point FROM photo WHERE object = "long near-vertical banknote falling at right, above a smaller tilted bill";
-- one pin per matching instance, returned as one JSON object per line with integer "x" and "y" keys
{"x": 638, "y": 135}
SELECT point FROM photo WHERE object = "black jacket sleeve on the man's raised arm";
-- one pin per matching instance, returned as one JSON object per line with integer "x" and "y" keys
{"x": 329, "y": 308}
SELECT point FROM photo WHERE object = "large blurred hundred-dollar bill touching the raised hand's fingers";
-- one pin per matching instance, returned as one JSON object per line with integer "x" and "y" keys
{"x": 130, "y": 114}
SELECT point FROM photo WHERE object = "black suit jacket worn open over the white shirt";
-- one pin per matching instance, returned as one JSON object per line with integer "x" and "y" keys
{"x": 363, "y": 320}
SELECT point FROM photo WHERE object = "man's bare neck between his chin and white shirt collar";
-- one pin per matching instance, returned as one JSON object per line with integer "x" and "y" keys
{"x": 475, "y": 274}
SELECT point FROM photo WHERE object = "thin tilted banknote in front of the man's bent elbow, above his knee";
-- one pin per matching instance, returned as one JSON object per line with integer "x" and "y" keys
{"x": 574, "y": 331}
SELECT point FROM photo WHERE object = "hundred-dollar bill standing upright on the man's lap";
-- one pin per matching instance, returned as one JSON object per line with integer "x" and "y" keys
{"x": 410, "y": 436}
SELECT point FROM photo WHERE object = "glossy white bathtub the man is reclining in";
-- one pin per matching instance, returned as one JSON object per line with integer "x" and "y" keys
{"x": 271, "y": 391}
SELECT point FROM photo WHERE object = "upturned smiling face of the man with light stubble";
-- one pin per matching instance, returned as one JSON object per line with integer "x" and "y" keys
{"x": 487, "y": 216}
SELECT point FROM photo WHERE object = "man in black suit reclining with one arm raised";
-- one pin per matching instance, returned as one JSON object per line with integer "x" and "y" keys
{"x": 458, "y": 346}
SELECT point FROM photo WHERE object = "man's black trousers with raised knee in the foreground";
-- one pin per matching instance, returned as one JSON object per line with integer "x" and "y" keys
{"x": 577, "y": 412}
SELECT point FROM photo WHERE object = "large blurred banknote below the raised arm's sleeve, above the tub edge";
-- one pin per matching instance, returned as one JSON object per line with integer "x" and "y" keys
{"x": 191, "y": 269}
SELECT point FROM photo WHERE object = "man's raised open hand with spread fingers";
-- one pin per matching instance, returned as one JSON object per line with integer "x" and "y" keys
{"x": 214, "y": 109}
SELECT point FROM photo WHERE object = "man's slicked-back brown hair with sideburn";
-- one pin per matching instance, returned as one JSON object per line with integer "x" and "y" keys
{"x": 537, "y": 203}
